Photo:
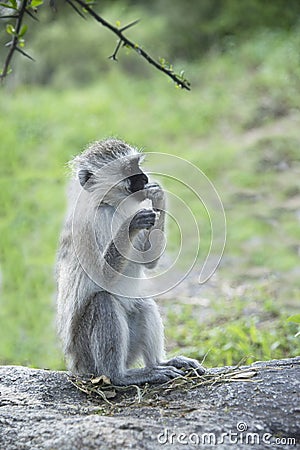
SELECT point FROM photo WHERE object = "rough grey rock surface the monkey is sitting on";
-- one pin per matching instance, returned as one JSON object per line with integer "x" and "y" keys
{"x": 41, "y": 409}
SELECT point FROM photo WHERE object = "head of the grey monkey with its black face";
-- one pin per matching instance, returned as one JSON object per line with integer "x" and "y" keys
{"x": 110, "y": 170}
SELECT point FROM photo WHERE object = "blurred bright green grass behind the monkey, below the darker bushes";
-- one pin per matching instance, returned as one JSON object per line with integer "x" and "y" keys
{"x": 239, "y": 125}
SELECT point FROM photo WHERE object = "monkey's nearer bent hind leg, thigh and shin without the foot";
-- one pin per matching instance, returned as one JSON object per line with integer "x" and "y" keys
{"x": 98, "y": 338}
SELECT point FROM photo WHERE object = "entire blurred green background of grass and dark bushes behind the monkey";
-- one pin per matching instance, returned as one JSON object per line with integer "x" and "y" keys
{"x": 239, "y": 124}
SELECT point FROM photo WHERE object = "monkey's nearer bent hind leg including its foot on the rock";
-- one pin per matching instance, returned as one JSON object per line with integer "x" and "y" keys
{"x": 103, "y": 333}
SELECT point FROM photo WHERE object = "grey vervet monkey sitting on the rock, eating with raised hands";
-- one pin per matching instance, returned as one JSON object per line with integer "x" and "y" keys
{"x": 102, "y": 328}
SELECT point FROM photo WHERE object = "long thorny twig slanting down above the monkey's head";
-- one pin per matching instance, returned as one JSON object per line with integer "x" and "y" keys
{"x": 179, "y": 80}
